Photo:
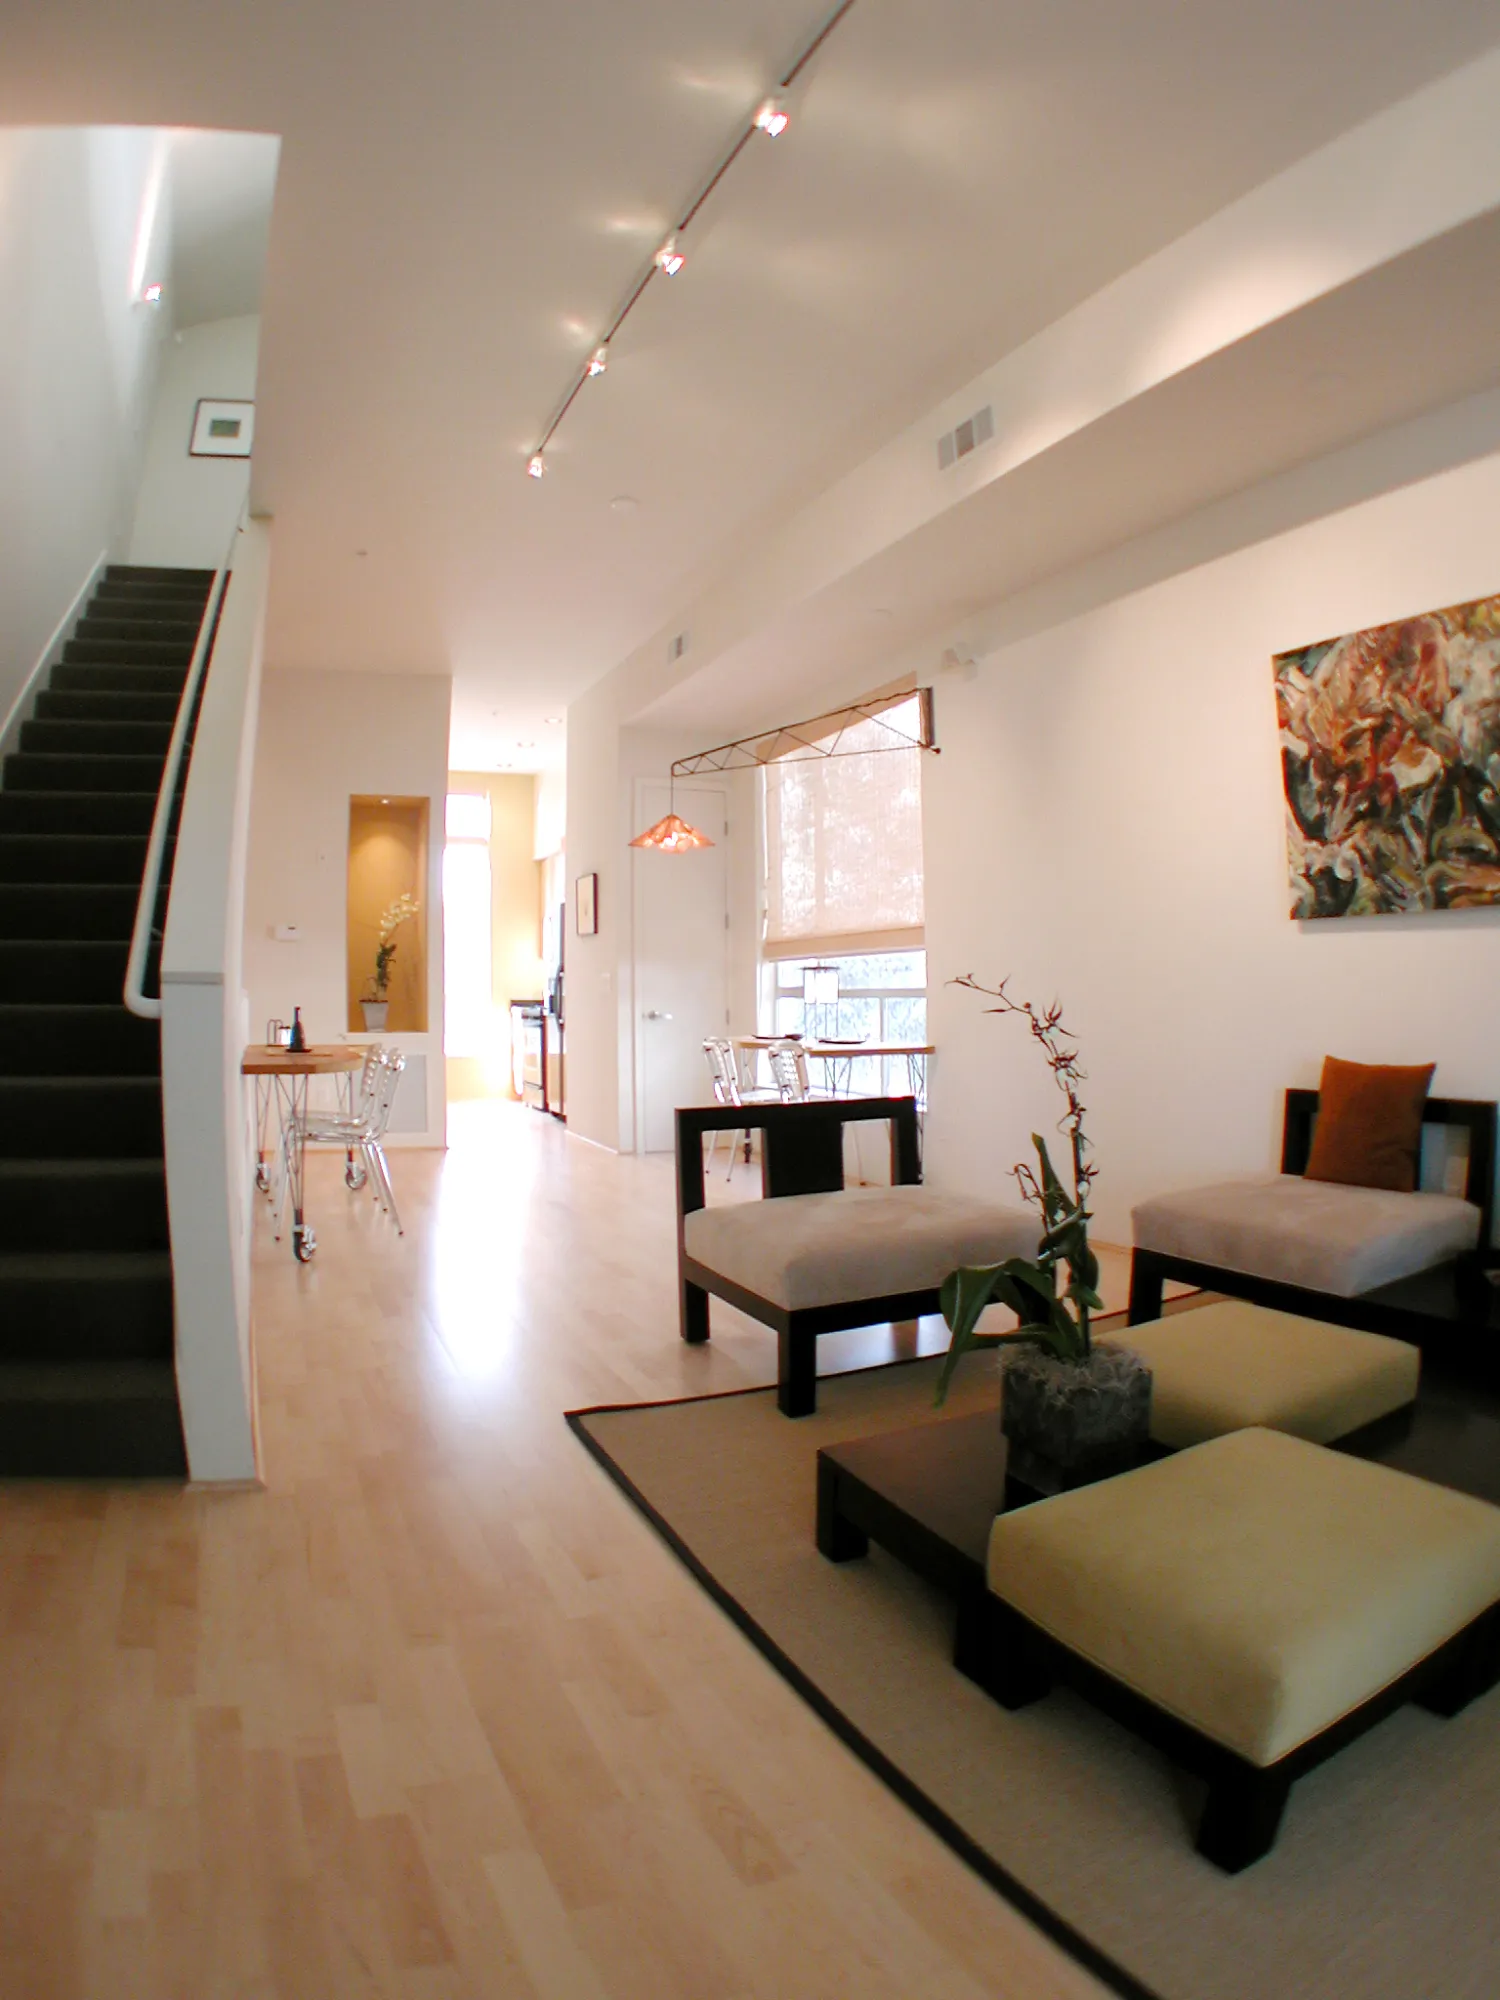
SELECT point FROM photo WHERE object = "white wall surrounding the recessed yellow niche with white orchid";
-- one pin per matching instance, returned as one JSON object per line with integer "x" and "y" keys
{"x": 323, "y": 741}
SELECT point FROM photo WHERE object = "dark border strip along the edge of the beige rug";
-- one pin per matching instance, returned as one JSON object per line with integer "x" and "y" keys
{"x": 1081, "y": 1949}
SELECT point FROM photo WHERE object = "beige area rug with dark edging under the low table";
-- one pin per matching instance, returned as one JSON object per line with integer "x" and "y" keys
{"x": 1383, "y": 1885}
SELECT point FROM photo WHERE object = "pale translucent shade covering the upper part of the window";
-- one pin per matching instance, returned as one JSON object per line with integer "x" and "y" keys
{"x": 845, "y": 843}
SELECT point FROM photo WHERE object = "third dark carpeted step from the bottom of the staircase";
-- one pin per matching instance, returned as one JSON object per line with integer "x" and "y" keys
{"x": 83, "y": 1205}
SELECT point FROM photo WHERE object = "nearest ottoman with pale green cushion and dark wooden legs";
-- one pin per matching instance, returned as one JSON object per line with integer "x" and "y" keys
{"x": 1251, "y": 1605}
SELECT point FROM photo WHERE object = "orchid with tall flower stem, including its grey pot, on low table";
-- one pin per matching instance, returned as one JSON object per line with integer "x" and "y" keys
{"x": 1071, "y": 1407}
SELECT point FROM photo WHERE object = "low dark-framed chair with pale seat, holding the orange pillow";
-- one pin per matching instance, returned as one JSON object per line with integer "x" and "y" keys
{"x": 1317, "y": 1247}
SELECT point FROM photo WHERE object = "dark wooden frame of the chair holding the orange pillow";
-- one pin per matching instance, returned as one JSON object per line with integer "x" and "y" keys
{"x": 1423, "y": 1307}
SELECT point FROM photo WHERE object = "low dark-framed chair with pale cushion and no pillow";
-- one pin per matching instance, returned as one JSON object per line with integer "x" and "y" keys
{"x": 817, "y": 1257}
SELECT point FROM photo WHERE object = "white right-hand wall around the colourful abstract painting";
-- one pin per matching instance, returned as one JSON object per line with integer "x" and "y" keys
{"x": 1107, "y": 825}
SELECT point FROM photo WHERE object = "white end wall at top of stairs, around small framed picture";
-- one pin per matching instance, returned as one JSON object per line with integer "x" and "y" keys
{"x": 187, "y": 507}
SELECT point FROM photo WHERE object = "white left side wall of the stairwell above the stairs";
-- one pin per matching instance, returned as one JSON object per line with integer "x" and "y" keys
{"x": 81, "y": 229}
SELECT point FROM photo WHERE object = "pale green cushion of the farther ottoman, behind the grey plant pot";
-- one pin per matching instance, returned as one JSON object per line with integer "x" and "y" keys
{"x": 1233, "y": 1365}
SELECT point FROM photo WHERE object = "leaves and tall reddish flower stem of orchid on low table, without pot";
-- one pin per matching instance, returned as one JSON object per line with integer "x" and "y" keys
{"x": 1051, "y": 1315}
